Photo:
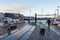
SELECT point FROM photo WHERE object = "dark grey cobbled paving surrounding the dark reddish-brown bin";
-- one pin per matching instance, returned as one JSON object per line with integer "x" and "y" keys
{"x": 49, "y": 34}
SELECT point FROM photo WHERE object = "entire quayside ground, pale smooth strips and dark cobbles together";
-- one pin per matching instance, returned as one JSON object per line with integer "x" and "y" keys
{"x": 29, "y": 32}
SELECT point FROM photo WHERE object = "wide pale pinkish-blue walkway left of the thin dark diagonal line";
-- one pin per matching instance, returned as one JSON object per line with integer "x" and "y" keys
{"x": 20, "y": 34}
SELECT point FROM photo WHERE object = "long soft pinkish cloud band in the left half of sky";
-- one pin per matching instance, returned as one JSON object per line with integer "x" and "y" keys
{"x": 15, "y": 7}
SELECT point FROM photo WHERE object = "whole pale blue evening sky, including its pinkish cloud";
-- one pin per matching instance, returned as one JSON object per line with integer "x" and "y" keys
{"x": 29, "y": 7}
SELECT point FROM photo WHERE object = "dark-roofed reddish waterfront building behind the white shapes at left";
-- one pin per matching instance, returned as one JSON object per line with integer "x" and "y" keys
{"x": 16, "y": 17}
